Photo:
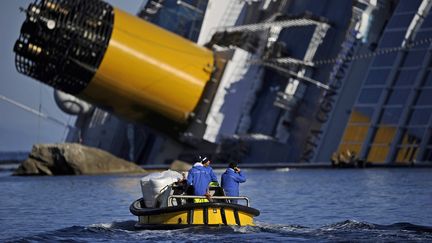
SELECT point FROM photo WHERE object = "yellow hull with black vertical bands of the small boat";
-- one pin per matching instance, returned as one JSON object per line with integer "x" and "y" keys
{"x": 193, "y": 214}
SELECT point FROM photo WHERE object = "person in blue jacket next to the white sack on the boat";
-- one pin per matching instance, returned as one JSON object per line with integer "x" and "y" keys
{"x": 200, "y": 176}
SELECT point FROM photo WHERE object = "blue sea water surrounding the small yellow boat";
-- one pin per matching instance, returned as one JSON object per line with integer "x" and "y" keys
{"x": 296, "y": 205}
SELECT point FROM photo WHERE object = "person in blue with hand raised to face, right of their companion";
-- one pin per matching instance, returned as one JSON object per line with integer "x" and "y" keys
{"x": 231, "y": 179}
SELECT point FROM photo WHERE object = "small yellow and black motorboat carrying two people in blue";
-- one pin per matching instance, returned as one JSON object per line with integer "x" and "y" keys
{"x": 177, "y": 210}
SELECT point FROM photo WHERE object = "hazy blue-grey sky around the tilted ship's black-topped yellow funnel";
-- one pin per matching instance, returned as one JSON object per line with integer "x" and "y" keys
{"x": 20, "y": 129}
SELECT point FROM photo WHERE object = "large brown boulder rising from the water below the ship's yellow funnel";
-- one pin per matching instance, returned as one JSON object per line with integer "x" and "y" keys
{"x": 73, "y": 159}
